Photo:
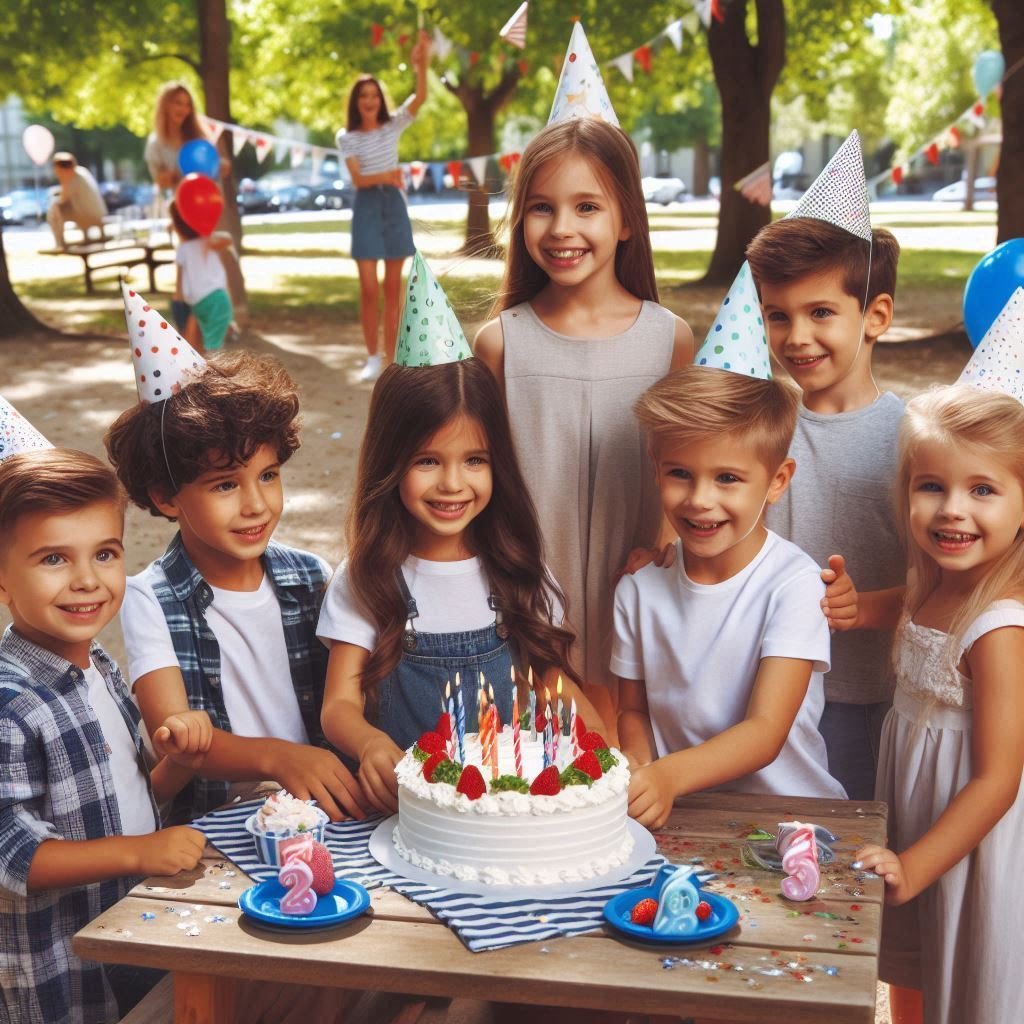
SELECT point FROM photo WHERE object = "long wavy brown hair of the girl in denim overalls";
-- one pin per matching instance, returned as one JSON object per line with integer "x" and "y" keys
{"x": 409, "y": 406}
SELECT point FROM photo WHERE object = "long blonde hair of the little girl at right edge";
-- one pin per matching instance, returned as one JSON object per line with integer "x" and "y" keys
{"x": 993, "y": 424}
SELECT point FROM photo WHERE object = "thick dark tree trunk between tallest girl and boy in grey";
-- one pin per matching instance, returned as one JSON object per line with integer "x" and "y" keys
{"x": 746, "y": 76}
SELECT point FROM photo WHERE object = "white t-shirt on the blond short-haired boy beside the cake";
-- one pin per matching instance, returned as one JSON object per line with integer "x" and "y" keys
{"x": 699, "y": 647}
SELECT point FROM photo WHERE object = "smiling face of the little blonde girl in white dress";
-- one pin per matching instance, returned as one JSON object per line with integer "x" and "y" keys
{"x": 966, "y": 508}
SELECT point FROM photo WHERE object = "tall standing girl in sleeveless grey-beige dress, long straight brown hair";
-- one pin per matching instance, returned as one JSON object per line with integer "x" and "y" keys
{"x": 579, "y": 337}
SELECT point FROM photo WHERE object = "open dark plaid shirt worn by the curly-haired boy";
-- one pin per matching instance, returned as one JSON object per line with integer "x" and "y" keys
{"x": 300, "y": 580}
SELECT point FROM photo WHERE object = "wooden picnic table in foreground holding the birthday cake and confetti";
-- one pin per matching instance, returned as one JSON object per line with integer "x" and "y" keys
{"x": 790, "y": 963}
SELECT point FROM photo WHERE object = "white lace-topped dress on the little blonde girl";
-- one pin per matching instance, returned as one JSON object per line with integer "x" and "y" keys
{"x": 961, "y": 940}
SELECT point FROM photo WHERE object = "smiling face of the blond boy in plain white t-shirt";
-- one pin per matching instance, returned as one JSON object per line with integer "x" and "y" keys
{"x": 714, "y": 492}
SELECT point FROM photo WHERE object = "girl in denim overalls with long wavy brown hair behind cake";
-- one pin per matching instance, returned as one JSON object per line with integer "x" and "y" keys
{"x": 445, "y": 573}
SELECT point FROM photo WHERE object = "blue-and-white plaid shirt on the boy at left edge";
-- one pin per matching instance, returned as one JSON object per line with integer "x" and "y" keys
{"x": 56, "y": 783}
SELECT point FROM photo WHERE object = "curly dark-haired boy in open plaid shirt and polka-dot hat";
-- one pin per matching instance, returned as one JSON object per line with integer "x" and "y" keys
{"x": 225, "y": 621}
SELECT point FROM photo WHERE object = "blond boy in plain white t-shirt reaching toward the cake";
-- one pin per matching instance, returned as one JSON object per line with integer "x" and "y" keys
{"x": 720, "y": 656}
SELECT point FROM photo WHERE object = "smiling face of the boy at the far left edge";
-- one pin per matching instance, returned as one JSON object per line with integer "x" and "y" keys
{"x": 63, "y": 577}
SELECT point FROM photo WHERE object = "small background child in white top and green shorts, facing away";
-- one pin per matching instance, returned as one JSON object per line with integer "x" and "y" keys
{"x": 202, "y": 284}
